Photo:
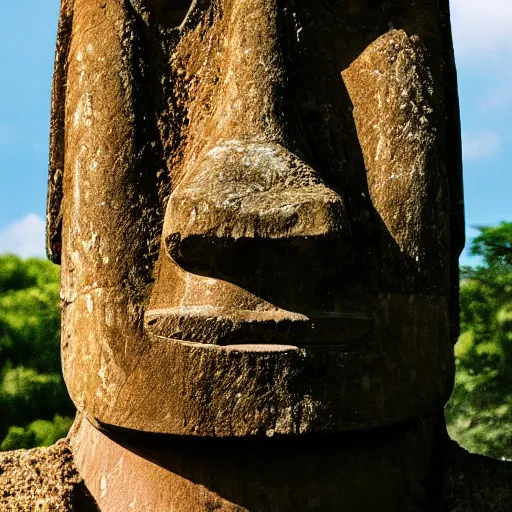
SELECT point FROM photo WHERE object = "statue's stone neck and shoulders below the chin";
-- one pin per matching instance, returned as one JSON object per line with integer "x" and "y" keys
{"x": 412, "y": 467}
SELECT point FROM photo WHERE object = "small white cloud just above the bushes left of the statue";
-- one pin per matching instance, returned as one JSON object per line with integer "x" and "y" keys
{"x": 24, "y": 237}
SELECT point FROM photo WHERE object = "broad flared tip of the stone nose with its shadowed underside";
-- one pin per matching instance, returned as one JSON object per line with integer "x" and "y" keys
{"x": 255, "y": 205}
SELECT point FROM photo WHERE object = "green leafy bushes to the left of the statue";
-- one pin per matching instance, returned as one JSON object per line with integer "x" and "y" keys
{"x": 35, "y": 408}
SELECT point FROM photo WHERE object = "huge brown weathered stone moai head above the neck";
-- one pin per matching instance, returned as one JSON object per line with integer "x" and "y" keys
{"x": 257, "y": 206}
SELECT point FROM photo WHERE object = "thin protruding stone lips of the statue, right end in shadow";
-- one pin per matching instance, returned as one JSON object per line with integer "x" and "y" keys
{"x": 251, "y": 330}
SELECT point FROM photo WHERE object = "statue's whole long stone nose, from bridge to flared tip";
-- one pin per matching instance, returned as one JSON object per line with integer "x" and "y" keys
{"x": 250, "y": 197}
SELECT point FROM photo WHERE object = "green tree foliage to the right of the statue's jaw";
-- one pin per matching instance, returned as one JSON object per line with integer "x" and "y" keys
{"x": 479, "y": 414}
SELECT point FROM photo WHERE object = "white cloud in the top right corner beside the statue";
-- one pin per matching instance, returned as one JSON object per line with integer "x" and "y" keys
{"x": 482, "y": 27}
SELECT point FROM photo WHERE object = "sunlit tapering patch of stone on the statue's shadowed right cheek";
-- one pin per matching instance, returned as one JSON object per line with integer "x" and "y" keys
{"x": 400, "y": 118}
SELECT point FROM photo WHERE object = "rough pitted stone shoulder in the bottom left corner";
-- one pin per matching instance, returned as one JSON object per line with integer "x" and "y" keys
{"x": 42, "y": 480}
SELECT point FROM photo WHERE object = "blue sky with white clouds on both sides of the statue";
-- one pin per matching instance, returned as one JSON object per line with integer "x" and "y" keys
{"x": 483, "y": 45}
